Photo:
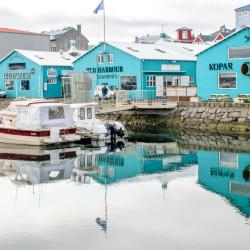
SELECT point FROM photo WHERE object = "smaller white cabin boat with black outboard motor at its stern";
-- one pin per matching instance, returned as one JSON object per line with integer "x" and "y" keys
{"x": 84, "y": 116}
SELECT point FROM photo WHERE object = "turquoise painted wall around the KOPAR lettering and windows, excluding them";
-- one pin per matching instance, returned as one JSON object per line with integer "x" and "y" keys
{"x": 207, "y": 80}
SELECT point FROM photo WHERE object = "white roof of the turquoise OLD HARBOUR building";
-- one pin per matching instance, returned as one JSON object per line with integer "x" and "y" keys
{"x": 163, "y": 50}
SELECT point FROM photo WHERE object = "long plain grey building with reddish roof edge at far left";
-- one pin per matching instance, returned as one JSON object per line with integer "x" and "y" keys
{"x": 18, "y": 39}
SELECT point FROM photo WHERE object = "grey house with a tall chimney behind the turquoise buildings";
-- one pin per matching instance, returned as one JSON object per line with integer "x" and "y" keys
{"x": 61, "y": 39}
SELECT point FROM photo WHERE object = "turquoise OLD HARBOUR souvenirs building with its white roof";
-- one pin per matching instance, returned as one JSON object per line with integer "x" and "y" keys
{"x": 135, "y": 66}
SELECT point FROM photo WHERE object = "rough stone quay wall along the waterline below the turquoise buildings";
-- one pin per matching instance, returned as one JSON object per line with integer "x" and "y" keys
{"x": 227, "y": 118}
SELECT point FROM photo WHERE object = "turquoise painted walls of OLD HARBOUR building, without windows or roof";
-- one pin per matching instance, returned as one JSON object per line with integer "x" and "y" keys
{"x": 132, "y": 66}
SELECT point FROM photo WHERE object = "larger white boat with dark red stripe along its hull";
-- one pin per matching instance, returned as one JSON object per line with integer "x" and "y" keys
{"x": 37, "y": 122}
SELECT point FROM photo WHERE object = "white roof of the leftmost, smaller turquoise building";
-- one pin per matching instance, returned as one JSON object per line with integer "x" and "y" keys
{"x": 48, "y": 58}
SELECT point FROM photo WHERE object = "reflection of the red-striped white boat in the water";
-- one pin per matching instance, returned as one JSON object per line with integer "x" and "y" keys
{"x": 35, "y": 165}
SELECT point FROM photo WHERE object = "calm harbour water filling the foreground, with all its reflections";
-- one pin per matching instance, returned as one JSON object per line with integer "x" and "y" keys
{"x": 165, "y": 194}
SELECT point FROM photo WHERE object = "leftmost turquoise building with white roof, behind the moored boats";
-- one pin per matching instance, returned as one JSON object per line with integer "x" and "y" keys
{"x": 34, "y": 74}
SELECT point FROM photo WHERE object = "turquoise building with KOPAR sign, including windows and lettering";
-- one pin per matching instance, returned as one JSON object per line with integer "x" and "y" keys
{"x": 224, "y": 67}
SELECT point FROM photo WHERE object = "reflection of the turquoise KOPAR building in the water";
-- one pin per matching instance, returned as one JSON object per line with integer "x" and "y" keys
{"x": 227, "y": 174}
